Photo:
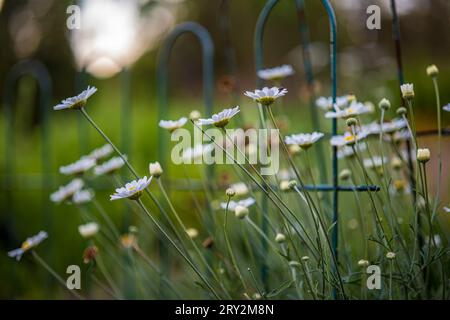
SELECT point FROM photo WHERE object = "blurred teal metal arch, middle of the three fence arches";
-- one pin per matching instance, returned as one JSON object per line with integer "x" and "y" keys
{"x": 162, "y": 71}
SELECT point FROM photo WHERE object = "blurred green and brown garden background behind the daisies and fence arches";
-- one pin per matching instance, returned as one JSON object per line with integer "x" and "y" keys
{"x": 36, "y": 29}
